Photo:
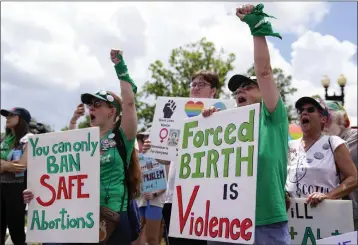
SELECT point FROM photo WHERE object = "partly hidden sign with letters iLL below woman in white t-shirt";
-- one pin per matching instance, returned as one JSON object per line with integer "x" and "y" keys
{"x": 329, "y": 218}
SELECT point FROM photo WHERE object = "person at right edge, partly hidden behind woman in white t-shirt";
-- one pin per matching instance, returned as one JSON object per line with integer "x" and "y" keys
{"x": 339, "y": 125}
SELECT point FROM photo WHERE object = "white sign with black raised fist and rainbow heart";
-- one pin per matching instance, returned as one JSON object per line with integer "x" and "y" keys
{"x": 168, "y": 119}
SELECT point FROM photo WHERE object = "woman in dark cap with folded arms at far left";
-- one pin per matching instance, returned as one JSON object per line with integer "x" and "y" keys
{"x": 13, "y": 166}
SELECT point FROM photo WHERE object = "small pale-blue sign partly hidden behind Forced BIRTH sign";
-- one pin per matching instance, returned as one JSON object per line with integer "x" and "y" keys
{"x": 154, "y": 175}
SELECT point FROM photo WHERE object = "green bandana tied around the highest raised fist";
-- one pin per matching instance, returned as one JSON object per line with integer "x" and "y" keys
{"x": 257, "y": 23}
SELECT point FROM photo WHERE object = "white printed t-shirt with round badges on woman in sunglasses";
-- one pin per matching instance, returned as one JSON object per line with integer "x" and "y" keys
{"x": 314, "y": 170}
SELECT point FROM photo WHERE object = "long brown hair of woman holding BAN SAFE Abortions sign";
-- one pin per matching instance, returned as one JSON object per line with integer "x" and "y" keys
{"x": 134, "y": 171}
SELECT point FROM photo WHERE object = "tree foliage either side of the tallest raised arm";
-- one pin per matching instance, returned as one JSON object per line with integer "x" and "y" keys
{"x": 284, "y": 84}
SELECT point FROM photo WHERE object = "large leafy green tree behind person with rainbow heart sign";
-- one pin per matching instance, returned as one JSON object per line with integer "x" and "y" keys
{"x": 174, "y": 80}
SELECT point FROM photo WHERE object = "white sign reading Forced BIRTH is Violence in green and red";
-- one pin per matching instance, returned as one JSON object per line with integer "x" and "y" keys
{"x": 215, "y": 183}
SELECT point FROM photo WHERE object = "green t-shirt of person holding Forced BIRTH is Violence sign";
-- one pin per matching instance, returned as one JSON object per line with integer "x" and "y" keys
{"x": 272, "y": 165}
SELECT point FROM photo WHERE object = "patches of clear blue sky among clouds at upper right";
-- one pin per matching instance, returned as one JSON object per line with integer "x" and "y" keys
{"x": 340, "y": 14}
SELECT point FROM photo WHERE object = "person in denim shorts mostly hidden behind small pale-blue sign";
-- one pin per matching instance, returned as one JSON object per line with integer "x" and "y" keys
{"x": 150, "y": 206}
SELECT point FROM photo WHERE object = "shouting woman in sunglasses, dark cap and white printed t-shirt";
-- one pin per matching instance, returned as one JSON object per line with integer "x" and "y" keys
{"x": 319, "y": 166}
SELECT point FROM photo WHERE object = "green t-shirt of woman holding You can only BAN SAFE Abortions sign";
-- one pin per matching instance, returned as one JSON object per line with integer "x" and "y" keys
{"x": 112, "y": 172}
